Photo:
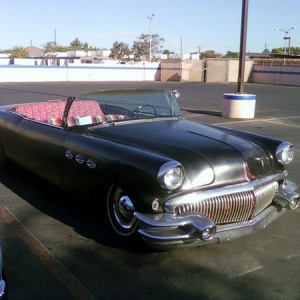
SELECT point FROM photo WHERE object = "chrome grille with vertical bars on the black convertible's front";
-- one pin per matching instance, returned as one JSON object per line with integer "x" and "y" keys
{"x": 234, "y": 207}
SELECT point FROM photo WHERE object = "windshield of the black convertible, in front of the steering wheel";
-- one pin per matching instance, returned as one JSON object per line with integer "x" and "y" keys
{"x": 120, "y": 105}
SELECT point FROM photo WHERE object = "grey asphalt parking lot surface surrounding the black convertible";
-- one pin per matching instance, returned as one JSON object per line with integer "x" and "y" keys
{"x": 55, "y": 247}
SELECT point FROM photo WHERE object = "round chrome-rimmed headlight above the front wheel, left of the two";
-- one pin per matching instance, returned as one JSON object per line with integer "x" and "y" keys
{"x": 171, "y": 175}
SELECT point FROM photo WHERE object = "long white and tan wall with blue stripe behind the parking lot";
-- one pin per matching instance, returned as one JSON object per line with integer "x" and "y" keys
{"x": 210, "y": 70}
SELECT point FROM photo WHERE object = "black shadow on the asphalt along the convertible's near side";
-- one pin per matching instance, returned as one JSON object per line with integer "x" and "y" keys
{"x": 85, "y": 215}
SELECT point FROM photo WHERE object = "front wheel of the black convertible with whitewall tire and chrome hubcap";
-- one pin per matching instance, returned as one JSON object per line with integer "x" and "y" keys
{"x": 120, "y": 213}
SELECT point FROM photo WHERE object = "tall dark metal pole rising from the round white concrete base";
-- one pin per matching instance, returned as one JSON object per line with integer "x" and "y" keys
{"x": 244, "y": 21}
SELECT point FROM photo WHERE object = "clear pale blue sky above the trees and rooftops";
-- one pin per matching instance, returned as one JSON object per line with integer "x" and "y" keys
{"x": 189, "y": 25}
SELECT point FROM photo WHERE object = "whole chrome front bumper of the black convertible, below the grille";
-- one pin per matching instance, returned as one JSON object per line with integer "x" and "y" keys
{"x": 170, "y": 230}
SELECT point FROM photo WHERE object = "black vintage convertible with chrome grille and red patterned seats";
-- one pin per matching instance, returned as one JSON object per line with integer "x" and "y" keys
{"x": 174, "y": 182}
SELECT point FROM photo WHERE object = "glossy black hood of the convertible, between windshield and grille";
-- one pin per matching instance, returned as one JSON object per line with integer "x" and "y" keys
{"x": 201, "y": 149}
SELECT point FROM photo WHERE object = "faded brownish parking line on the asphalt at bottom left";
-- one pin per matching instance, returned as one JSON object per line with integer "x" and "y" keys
{"x": 68, "y": 280}
